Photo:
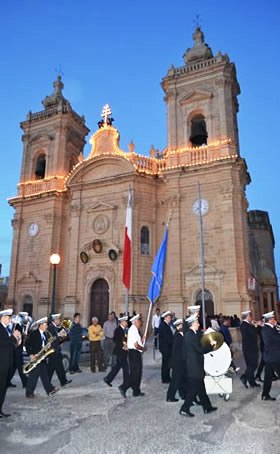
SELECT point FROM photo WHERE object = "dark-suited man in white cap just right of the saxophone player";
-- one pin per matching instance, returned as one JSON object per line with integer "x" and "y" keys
{"x": 55, "y": 361}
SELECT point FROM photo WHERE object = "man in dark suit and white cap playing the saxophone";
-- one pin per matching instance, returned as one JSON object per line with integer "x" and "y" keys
{"x": 34, "y": 344}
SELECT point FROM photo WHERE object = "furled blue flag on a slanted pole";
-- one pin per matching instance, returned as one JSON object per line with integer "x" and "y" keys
{"x": 158, "y": 270}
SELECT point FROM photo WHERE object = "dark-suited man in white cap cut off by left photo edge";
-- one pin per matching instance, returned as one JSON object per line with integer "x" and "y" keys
{"x": 8, "y": 342}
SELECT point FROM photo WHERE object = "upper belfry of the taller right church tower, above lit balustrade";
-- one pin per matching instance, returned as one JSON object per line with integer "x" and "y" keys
{"x": 201, "y": 98}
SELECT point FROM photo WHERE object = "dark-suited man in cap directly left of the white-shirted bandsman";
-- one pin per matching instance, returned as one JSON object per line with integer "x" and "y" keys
{"x": 120, "y": 350}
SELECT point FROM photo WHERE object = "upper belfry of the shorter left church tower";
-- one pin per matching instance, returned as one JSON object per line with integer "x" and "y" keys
{"x": 53, "y": 138}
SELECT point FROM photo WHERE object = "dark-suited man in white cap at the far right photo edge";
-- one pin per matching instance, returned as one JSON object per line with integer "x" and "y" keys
{"x": 271, "y": 353}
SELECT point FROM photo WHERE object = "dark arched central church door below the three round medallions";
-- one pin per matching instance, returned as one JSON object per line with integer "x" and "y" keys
{"x": 99, "y": 300}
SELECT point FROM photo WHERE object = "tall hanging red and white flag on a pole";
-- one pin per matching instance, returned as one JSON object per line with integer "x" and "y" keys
{"x": 127, "y": 243}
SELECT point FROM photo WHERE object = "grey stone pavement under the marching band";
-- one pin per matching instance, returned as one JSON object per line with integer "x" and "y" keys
{"x": 88, "y": 417}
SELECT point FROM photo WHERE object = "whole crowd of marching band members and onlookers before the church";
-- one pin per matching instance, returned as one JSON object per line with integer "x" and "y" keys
{"x": 119, "y": 344}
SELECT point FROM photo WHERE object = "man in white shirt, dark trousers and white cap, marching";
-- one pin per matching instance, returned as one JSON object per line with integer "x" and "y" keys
{"x": 135, "y": 349}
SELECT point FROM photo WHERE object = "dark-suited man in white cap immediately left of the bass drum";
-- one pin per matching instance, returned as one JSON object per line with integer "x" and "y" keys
{"x": 194, "y": 356}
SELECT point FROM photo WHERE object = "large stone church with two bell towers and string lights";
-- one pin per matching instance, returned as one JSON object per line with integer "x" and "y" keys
{"x": 76, "y": 206}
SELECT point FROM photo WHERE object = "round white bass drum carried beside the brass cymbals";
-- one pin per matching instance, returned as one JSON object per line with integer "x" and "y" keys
{"x": 217, "y": 362}
